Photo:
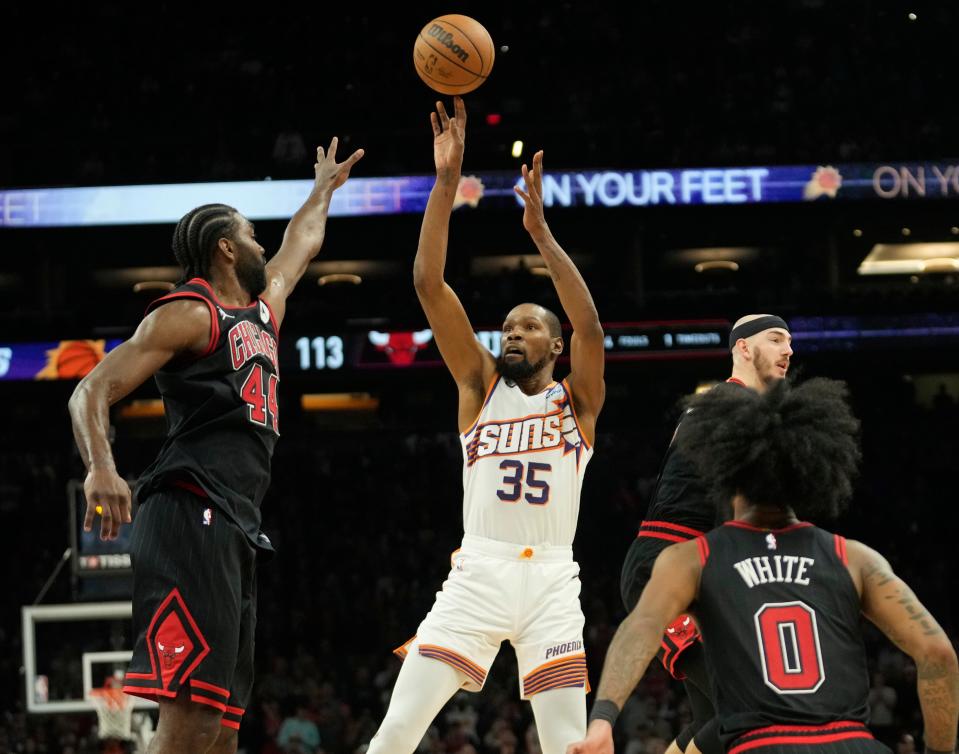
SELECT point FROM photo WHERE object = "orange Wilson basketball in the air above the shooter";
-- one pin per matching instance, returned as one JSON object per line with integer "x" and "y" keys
{"x": 453, "y": 54}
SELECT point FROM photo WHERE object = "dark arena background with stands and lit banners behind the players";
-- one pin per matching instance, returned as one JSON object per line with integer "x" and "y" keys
{"x": 797, "y": 157}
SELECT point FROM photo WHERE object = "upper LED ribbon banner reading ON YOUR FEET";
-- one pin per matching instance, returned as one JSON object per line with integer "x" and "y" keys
{"x": 275, "y": 200}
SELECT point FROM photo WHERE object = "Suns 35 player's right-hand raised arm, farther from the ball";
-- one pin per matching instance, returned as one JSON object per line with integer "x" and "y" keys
{"x": 587, "y": 351}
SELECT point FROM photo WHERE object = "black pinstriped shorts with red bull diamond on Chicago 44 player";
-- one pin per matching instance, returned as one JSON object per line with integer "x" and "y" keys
{"x": 194, "y": 604}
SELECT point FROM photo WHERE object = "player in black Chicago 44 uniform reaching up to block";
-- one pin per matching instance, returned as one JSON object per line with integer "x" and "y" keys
{"x": 212, "y": 344}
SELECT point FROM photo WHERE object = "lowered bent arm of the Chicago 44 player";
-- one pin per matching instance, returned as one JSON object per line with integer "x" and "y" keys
{"x": 178, "y": 328}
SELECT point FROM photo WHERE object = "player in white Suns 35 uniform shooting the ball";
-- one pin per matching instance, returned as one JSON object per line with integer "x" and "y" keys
{"x": 526, "y": 441}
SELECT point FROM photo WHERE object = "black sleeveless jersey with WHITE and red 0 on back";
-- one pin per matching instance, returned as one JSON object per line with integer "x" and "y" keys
{"x": 780, "y": 619}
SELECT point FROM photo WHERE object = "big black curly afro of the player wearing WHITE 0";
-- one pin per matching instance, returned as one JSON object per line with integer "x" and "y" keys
{"x": 791, "y": 447}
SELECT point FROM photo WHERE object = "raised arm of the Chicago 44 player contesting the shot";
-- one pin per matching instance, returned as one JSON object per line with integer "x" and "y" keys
{"x": 304, "y": 235}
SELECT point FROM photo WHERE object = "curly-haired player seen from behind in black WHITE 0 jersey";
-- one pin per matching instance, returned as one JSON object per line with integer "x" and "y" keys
{"x": 779, "y": 600}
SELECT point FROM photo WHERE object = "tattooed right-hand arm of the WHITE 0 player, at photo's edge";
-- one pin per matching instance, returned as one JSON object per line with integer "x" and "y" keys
{"x": 889, "y": 603}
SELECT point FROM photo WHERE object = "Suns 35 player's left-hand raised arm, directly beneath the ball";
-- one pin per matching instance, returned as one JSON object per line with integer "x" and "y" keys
{"x": 471, "y": 365}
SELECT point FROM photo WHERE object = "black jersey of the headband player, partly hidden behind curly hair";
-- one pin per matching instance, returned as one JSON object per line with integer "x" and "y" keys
{"x": 681, "y": 507}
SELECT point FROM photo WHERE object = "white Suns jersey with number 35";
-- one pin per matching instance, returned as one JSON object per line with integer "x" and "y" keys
{"x": 523, "y": 465}
